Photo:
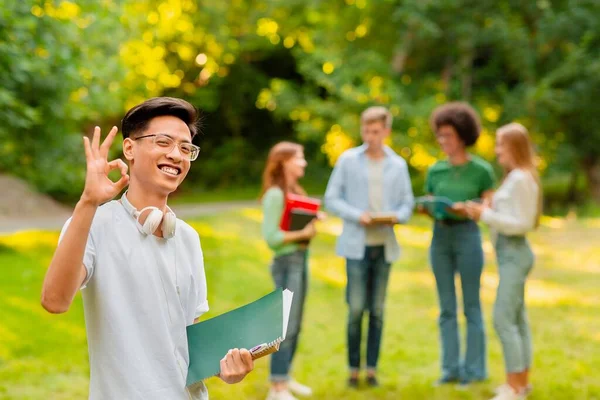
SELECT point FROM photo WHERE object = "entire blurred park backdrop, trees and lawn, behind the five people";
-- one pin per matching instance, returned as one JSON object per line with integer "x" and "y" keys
{"x": 263, "y": 71}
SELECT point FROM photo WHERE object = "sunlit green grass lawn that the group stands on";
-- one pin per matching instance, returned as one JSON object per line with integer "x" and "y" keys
{"x": 44, "y": 356}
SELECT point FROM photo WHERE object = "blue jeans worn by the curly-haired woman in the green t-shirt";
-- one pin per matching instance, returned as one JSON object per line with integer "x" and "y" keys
{"x": 456, "y": 248}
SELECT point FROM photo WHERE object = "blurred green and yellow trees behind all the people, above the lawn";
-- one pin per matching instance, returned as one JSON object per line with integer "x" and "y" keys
{"x": 267, "y": 70}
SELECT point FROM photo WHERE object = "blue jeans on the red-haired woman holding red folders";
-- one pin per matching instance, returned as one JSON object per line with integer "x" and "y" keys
{"x": 290, "y": 271}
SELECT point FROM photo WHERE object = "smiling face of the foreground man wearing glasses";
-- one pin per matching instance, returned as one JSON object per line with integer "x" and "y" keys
{"x": 153, "y": 165}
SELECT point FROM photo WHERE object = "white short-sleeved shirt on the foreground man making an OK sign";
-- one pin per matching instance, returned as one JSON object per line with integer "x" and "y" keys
{"x": 139, "y": 295}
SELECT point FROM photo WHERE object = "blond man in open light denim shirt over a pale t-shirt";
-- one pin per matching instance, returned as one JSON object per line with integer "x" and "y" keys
{"x": 367, "y": 179}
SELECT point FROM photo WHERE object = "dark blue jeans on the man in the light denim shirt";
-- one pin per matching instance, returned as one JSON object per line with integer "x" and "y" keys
{"x": 366, "y": 290}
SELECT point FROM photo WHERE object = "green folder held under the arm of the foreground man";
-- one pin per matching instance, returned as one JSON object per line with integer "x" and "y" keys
{"x": 259, "y": 327}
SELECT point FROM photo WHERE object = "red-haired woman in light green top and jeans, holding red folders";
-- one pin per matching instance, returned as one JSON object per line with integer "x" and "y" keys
{"x": 285, "y": 165}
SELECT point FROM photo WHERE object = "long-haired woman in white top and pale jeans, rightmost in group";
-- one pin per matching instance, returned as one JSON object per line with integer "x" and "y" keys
{"x": 515, "y": 210}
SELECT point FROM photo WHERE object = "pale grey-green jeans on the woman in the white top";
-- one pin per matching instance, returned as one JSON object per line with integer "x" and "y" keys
{"x": 515, "y": 261}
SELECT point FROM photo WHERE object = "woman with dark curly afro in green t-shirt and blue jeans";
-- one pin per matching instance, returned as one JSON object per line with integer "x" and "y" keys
{"x": 456, "y": 244}
